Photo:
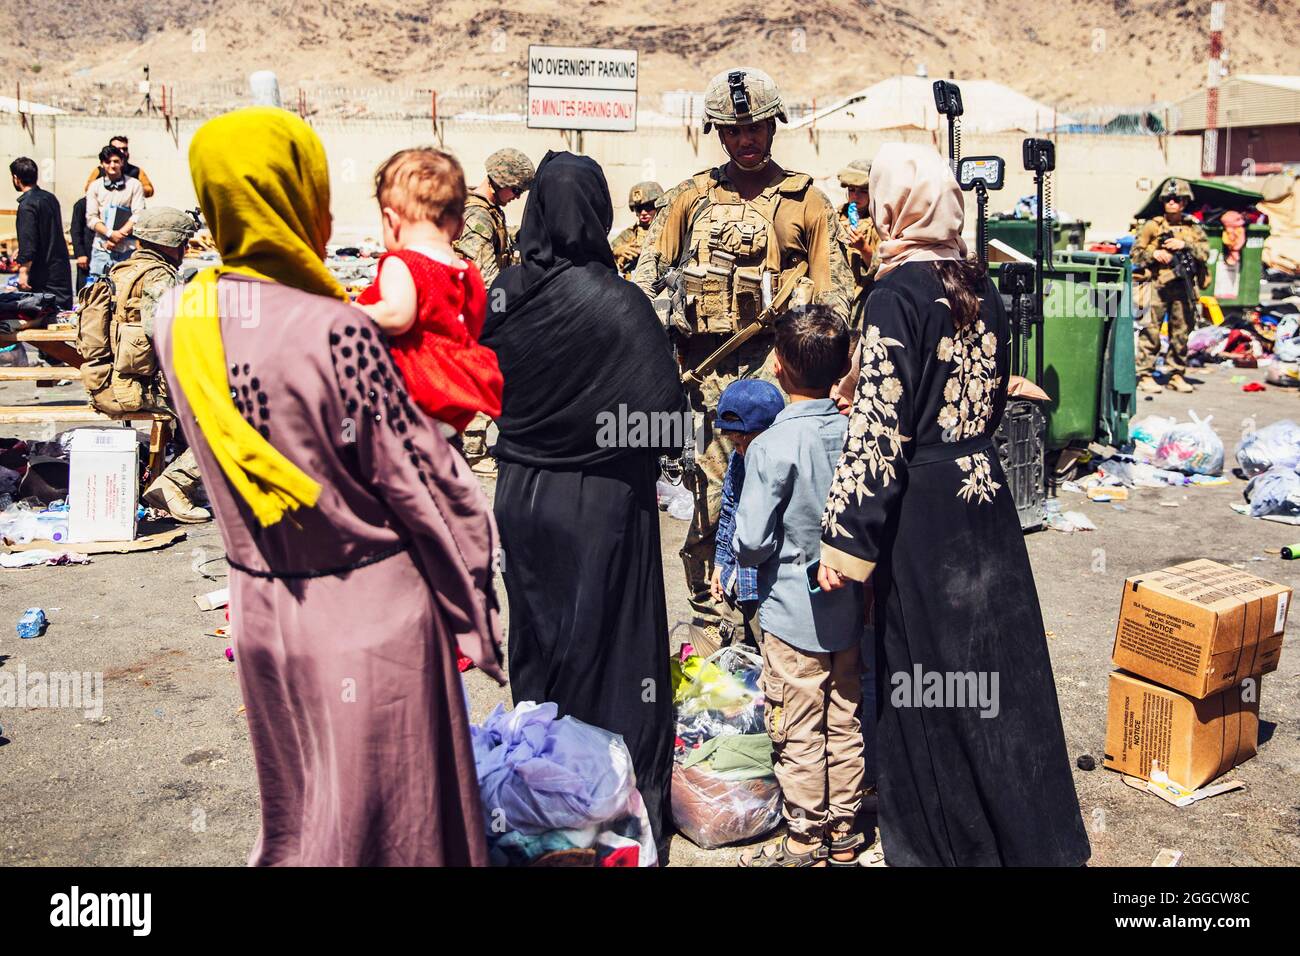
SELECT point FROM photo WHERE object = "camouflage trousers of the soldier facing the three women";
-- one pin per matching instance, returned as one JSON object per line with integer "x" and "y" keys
{"x": 713, "y": 452}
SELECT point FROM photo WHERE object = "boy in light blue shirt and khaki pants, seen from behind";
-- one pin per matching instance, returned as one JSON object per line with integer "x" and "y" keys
{"x": 812, "y": 639}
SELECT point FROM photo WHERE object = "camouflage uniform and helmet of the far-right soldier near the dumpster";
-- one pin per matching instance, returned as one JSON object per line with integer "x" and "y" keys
{"x": 1169, "y": 293}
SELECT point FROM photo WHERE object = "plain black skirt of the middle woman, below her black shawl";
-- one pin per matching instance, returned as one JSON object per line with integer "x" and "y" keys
{"x": 584, "y": 578}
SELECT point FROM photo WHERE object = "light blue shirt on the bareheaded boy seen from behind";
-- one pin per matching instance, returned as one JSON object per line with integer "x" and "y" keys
{"x": 788, "y": 474}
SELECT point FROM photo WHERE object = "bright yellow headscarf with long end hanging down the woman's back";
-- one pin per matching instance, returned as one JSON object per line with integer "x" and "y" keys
{"x": 263, "y": 185}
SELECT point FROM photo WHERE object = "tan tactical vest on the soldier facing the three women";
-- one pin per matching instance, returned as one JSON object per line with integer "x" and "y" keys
{"x": 729, "y": 245}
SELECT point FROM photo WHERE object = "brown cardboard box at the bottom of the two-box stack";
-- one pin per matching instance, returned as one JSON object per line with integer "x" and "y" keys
{"x": 1193, "y": 741}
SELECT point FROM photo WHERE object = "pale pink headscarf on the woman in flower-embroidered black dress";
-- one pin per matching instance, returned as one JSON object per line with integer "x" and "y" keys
{"x": 917, "y": 206}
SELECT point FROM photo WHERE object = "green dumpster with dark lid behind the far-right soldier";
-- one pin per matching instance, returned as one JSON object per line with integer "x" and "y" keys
{"x": 1234, "y": 287}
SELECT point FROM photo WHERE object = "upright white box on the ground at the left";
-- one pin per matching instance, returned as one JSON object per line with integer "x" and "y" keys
{"x": 103, "y": 485}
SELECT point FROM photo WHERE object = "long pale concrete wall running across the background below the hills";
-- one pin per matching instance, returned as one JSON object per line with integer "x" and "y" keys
{"x": 1098, "y": 179}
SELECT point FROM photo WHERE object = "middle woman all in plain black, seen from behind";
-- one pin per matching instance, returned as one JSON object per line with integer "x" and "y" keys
{"x": 590, "y": 375}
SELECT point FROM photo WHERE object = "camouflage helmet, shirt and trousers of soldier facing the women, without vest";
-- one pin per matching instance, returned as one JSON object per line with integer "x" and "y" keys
{"x": 801, "y": 227}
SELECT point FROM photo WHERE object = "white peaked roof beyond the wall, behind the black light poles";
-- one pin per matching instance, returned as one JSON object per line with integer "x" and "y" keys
{"x": 909, "y": 102}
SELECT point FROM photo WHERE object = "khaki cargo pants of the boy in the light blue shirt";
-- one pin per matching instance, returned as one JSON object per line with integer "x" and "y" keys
{"x": 813, "y": 720}
